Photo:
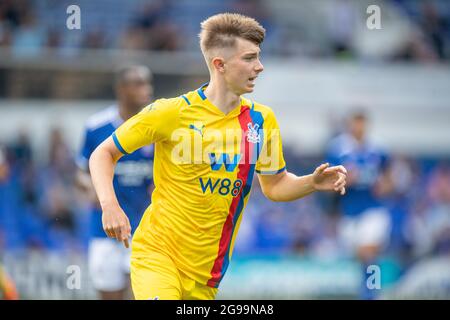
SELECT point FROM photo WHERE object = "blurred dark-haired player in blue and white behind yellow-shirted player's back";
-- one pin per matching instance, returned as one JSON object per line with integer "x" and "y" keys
{"x": 109, "y": 260}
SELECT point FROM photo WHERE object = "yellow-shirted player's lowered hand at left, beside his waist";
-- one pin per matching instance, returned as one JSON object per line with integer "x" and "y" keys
{"x": 116, "y": 224}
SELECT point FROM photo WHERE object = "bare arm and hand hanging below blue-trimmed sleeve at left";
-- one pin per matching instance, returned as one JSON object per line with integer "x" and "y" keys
{"x": 101, "y": 164}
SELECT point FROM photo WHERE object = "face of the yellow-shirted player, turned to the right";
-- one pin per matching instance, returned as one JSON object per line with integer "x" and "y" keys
{"x": 243, "y": 66}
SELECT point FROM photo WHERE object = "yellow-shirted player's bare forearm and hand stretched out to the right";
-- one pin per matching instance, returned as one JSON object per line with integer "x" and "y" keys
{"x": 286, "y": 186}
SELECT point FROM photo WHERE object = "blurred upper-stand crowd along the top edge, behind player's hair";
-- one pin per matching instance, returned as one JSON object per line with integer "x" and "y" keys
{"x": 28, "y": 27}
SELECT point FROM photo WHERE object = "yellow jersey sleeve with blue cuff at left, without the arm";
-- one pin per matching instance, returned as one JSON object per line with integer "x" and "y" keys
{"x": 154, "y": 123}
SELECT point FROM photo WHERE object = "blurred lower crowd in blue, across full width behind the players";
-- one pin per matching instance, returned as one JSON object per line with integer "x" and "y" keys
{"x": 40, "y": 208}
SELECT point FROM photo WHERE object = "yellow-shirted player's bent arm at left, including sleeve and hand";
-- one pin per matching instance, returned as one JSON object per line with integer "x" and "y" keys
{"x": 155, "y": 123}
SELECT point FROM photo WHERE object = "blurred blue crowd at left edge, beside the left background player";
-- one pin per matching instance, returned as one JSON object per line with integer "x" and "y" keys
{"x": 39, "y": 204}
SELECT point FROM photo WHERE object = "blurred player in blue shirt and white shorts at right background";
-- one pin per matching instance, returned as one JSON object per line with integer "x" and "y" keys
{"x": 366, "y": 223}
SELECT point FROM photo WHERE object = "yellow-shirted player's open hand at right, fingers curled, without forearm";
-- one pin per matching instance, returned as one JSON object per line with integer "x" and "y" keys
{"x": 326, "y": 178}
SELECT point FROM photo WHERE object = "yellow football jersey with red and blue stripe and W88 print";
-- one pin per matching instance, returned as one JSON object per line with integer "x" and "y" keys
{"x": 203, "y": 170}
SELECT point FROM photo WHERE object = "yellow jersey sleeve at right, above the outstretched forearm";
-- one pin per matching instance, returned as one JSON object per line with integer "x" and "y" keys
{"x": 271, "y": 159}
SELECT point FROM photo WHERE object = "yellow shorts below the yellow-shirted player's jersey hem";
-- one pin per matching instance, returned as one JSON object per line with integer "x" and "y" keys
{"x": 155, "y": 277}
